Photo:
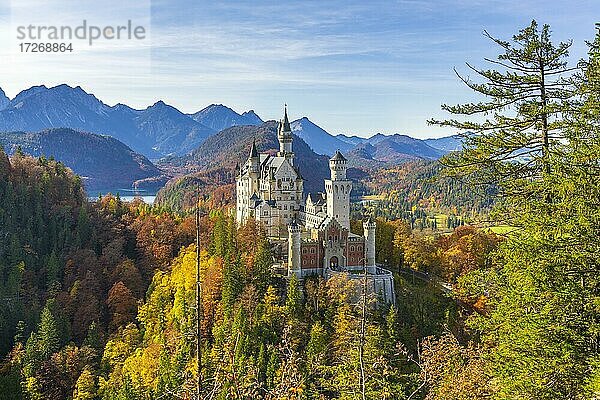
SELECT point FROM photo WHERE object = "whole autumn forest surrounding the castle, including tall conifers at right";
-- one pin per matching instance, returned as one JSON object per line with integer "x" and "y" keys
{"x": 98, "y": 297}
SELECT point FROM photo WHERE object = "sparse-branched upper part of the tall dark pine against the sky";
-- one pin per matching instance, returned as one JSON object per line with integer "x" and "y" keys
{"x": 521, "y": 121}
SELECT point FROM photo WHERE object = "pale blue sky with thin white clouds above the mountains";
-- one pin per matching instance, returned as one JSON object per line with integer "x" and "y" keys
{"x": 351, "y": 67}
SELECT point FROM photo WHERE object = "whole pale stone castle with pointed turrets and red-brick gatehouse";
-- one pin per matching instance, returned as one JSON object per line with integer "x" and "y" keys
{"x": 317, "y": 228}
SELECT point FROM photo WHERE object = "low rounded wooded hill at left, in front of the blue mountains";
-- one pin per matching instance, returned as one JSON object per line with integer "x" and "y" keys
{"x": 103, "y": 162}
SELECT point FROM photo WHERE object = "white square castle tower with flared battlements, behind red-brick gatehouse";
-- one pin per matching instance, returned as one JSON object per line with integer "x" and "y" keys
{"x": 338, "y": 190}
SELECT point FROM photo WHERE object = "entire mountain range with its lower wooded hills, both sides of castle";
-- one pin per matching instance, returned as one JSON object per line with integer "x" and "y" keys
{"x": 214, "y": 137}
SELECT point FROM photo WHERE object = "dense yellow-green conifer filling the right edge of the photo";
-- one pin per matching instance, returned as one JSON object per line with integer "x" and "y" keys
{"x": 541, "y": 334}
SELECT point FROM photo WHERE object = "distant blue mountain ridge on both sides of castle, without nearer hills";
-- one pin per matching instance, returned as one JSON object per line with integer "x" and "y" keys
{"x": 161, "y": 130}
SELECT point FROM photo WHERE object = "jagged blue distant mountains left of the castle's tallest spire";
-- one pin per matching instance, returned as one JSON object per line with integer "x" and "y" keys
{"x": 156, "y": 131}
